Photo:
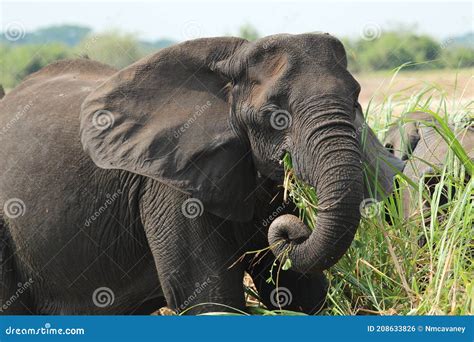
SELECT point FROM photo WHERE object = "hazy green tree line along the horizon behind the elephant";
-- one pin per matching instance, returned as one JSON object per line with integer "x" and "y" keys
{"x": 26, "y": 54}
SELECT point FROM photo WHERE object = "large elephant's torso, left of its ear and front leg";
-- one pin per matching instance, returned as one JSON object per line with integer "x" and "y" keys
{"x": 61, "y": 231}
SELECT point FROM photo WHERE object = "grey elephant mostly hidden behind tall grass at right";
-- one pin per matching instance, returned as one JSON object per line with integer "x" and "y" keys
{"x": 415, "y": 140}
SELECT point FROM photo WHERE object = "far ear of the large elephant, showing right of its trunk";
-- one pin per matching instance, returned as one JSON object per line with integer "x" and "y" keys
{"x": 379, "y": 165}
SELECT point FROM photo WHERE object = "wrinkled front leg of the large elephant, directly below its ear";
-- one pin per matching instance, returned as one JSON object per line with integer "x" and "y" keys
{"x": 192, "y": 255}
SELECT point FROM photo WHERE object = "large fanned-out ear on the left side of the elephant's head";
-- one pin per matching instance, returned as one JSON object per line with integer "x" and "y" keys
{"x": 167, "y": 117}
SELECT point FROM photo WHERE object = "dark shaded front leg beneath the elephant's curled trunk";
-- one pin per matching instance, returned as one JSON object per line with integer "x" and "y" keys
{"x": 293, "y": 291}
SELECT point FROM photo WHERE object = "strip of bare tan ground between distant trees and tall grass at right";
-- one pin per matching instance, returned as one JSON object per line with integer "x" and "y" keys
{"x": 456, "y": 84}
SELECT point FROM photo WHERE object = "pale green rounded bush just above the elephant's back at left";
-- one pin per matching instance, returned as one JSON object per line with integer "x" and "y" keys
{"x": 112, "y": 47}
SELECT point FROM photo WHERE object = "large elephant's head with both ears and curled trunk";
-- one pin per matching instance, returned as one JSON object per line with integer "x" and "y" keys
{"x": 206, "y": 115}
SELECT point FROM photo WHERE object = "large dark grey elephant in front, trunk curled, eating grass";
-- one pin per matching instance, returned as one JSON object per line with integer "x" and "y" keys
{"x": 123, "y": 190}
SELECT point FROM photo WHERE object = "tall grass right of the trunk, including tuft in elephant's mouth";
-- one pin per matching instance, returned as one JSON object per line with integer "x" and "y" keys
{"x": 388, "y": 270}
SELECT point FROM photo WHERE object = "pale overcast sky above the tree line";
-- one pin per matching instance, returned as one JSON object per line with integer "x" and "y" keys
{"x": 182, "y": 20}
